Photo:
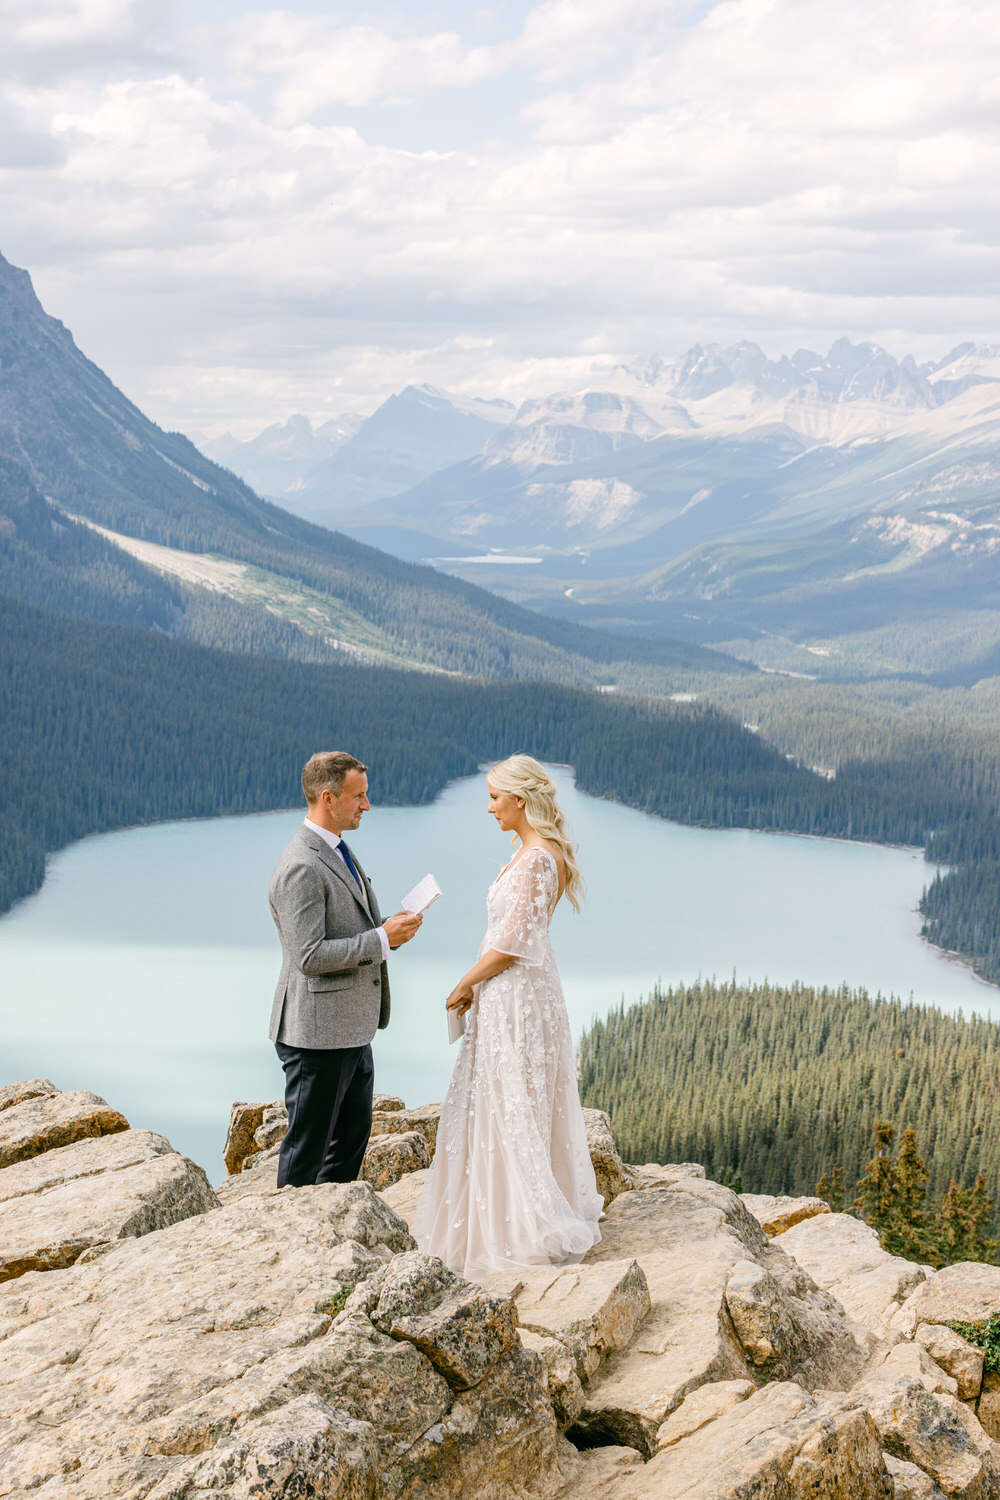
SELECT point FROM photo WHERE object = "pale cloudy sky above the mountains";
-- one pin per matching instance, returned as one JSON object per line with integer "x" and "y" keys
{"x": 250, "y": 212}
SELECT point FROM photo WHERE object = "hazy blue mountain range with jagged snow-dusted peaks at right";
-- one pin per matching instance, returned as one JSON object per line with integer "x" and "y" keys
{"x": 843, "y": 508}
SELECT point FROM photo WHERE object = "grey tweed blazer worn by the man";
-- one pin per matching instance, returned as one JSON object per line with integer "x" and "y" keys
{"x": 334, "y": 988}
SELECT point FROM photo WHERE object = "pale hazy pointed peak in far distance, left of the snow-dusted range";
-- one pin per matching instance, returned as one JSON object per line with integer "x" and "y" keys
{"x": 352, "y": 460}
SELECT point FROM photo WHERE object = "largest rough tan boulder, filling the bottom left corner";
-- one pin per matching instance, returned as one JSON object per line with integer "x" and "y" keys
{"x": 232, "y": 1354}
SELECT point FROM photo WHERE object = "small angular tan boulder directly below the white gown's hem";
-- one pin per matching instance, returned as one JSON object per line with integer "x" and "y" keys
{"x": 593, "y": 1310}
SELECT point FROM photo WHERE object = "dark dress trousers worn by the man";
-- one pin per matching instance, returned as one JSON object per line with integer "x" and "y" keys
{"x": 329, "y": 1099}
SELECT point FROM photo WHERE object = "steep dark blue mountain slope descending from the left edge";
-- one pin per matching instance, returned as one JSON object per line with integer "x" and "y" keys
{"x": 248, "y": 575}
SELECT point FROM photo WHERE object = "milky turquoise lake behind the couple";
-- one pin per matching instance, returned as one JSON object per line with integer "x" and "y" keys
{"x": 146, "y": 965}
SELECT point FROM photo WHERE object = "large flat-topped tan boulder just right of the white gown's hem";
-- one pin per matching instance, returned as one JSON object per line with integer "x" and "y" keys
{"x": 689, "y": 1238}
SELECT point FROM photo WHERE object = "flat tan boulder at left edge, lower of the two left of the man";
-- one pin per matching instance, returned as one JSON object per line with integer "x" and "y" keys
{"x": 65, "y": 1202}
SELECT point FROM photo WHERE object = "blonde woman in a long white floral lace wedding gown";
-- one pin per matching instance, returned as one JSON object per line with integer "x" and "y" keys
{"x": 512, "y": 1181}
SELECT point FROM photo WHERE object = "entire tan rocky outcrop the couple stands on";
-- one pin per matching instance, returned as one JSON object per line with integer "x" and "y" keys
{"x": 263, "y": 1343}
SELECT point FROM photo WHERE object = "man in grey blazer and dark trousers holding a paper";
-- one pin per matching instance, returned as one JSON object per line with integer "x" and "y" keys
{"x": 334, "y": 989}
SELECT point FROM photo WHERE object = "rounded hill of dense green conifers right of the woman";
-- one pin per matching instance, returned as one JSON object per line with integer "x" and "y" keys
{"x": 783, "y": 1085}
